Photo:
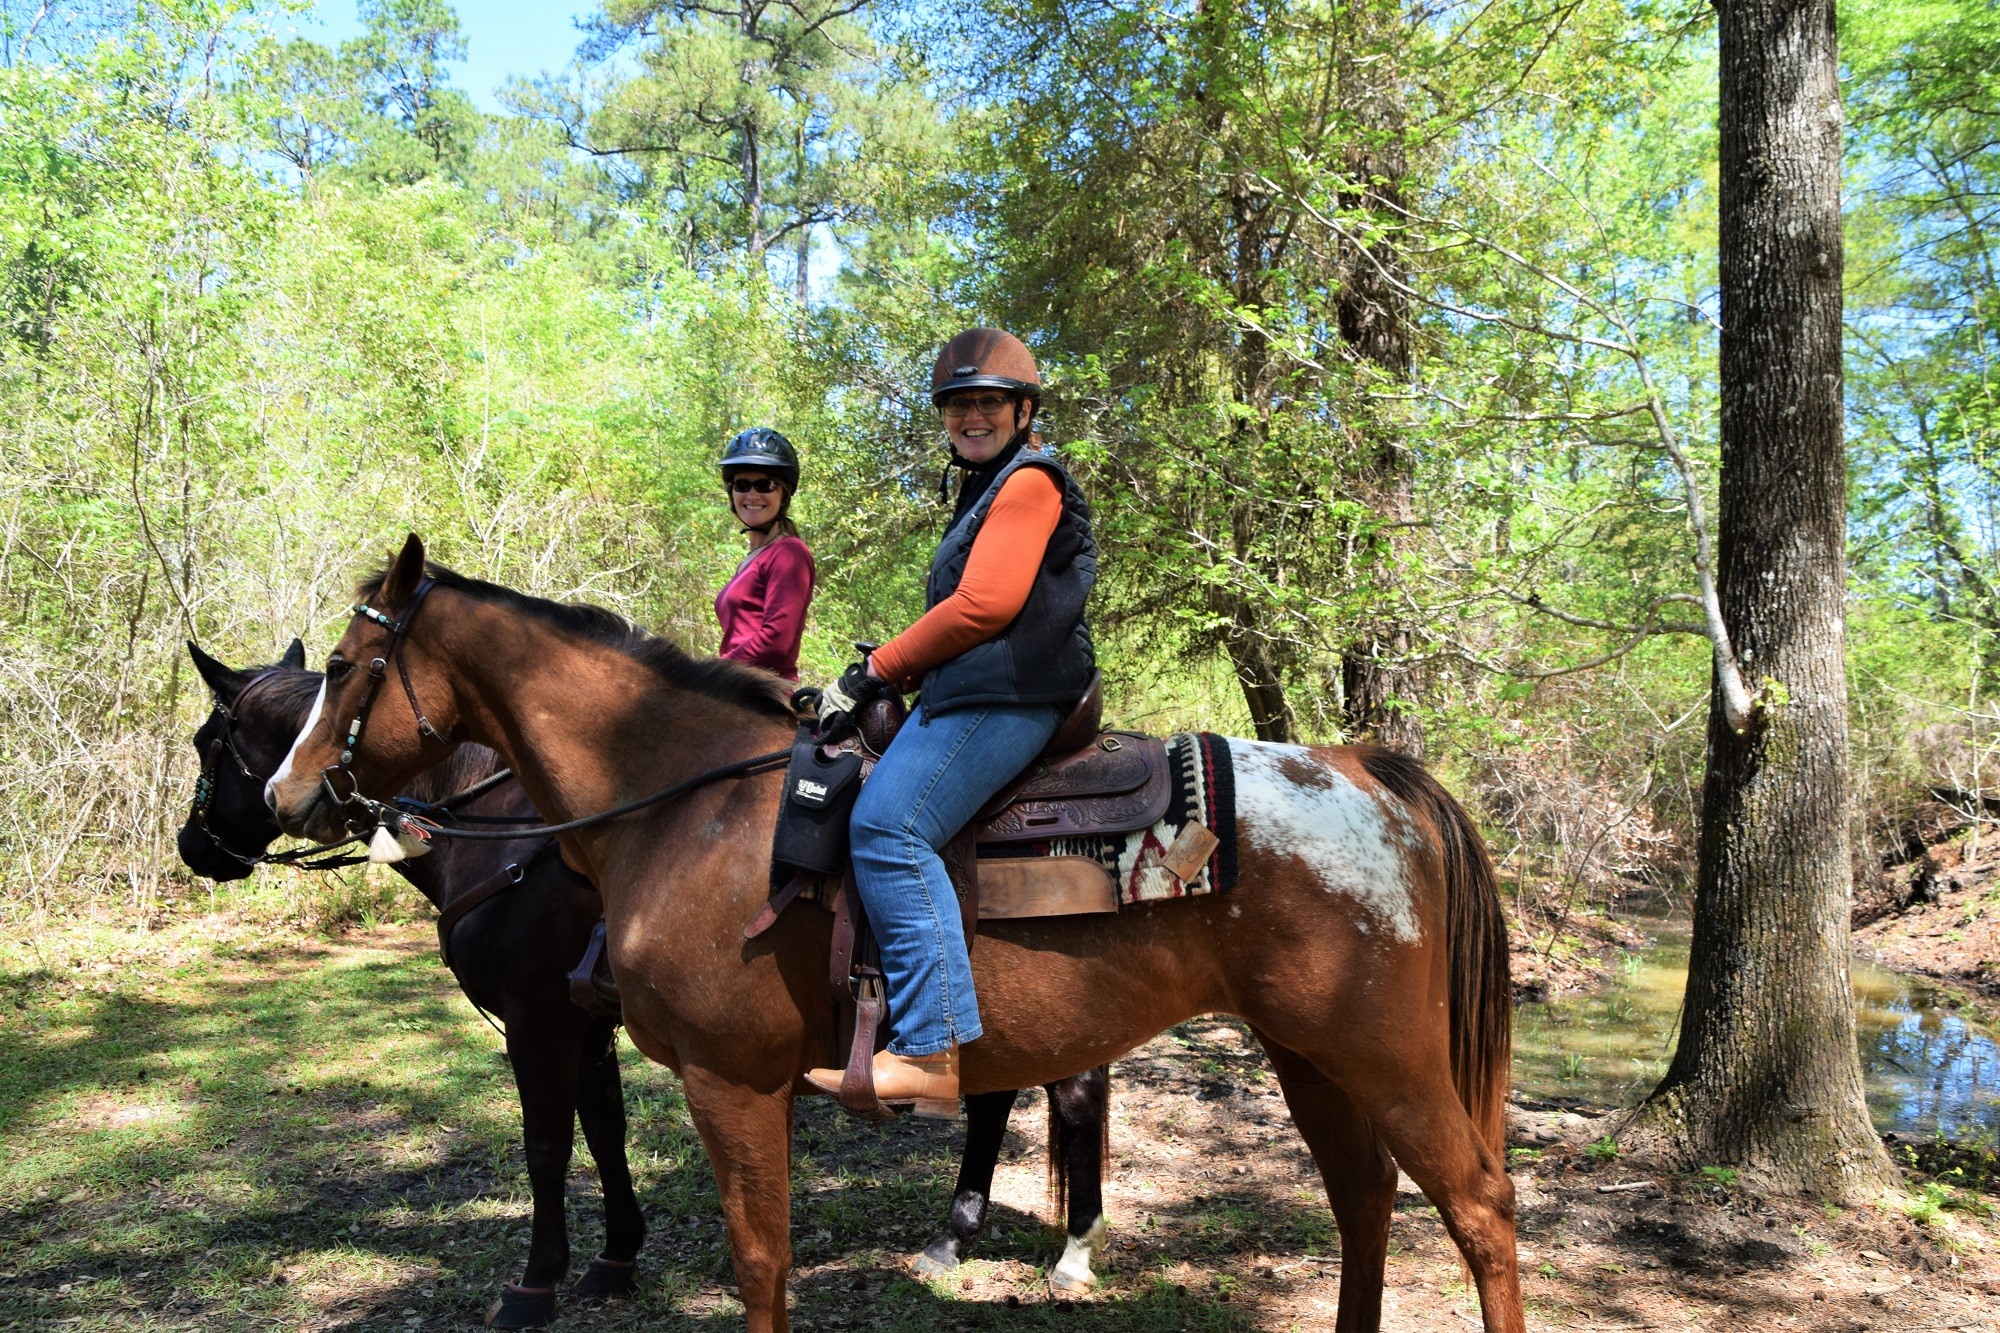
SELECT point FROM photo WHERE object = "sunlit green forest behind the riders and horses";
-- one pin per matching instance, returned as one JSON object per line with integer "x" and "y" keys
{"x": 1383, "y": 337}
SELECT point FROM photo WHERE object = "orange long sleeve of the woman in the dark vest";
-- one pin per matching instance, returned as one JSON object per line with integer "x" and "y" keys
{"x": 995, "y": 587}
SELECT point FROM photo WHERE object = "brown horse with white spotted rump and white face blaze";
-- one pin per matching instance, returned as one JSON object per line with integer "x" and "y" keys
{"x": 1365, "y": 942}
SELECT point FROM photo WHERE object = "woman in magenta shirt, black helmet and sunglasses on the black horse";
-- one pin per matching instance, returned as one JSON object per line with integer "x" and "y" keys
{"x": 763, "y": 607}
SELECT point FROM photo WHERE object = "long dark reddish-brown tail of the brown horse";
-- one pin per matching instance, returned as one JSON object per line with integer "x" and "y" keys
{"x": 1475, "y": 930}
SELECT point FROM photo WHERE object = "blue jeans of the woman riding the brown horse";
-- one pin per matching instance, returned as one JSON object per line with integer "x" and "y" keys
{"x": 935, "y": 778}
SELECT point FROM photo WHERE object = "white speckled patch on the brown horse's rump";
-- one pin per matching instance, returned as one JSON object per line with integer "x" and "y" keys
{"x": 1357, "y": 844}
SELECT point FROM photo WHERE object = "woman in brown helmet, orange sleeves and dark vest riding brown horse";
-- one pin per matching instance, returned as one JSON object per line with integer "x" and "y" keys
{"x": 1001, "y": 655}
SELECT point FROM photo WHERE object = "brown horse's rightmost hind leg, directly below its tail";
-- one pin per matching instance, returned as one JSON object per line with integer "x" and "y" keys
{"x": 1419, "y": 1116}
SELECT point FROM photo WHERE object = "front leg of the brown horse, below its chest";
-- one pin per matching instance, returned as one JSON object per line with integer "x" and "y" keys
{"x": 749, "y": 1140}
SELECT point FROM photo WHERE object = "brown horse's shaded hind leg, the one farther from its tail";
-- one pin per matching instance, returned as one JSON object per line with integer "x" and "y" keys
{"x": 1361, "y": 1182}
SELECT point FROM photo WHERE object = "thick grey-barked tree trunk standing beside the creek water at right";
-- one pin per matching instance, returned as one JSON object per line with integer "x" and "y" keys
{"x": 1767, "y": 1076}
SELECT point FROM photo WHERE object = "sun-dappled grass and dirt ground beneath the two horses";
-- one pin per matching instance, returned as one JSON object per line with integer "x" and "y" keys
{"x": 253, "y": 1134}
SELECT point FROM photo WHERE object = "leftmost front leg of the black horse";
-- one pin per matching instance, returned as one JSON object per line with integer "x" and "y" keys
{"x": 545, "y": 1074}
